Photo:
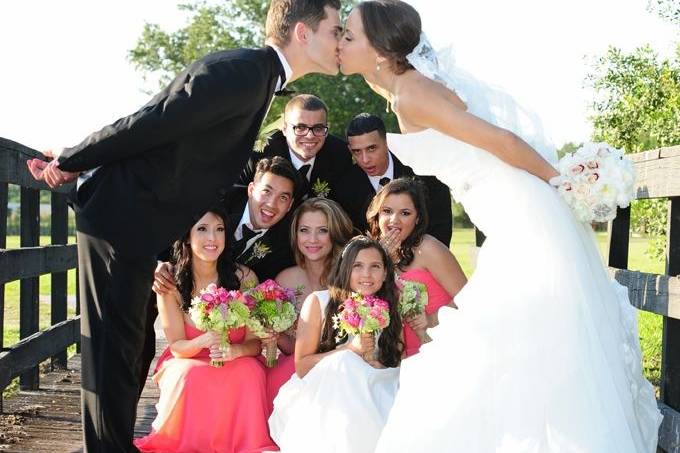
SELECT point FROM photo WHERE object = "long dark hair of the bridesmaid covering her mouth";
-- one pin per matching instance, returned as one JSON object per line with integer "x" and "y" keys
{"x": 415, "y": 189}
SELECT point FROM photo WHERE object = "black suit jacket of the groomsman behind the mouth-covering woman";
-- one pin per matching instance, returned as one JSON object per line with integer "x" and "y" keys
{"x": 356, "y": 193}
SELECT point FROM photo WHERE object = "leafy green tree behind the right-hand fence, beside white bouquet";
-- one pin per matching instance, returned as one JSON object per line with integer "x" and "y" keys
{"x": 637, "y": 107}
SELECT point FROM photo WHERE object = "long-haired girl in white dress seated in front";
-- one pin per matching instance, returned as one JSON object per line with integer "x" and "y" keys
{"x": 340, "y": 396}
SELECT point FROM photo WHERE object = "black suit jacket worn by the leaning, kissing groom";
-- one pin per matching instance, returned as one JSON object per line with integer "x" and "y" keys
{"x": 162, "y": 167}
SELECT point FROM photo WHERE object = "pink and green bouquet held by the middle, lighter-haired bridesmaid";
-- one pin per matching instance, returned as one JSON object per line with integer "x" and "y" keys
{"x": 273, "y": 310}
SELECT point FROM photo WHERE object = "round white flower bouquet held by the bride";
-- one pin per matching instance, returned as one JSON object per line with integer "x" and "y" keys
{"x": 594, "y": 180}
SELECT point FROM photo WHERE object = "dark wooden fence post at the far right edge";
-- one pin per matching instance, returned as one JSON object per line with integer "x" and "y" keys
{"x": 670, "y": 365}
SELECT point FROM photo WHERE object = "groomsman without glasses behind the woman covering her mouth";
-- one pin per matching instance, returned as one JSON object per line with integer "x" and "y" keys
{"x": 375, "y": 167}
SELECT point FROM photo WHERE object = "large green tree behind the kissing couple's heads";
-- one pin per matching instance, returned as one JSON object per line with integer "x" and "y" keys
{"x": 240, "y": 23}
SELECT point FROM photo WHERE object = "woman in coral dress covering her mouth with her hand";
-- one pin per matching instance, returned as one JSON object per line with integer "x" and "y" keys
{"x": 398, "y": 218}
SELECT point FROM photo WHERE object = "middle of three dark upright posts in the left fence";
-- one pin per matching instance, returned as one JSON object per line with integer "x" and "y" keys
{"x": 29, "y": 320}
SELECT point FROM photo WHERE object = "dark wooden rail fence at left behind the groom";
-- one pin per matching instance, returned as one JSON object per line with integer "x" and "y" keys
{"x": 27, "y": 264}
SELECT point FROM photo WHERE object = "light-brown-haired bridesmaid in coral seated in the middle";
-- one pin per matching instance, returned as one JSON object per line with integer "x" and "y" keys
{"x": 319, "y": 231}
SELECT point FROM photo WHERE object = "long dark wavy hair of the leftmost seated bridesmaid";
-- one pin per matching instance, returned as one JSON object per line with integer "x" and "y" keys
{"x": 182, "y": 260}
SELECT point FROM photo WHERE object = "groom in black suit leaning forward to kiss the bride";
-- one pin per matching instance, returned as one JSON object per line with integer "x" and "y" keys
{"x": 145, "y": 179}
